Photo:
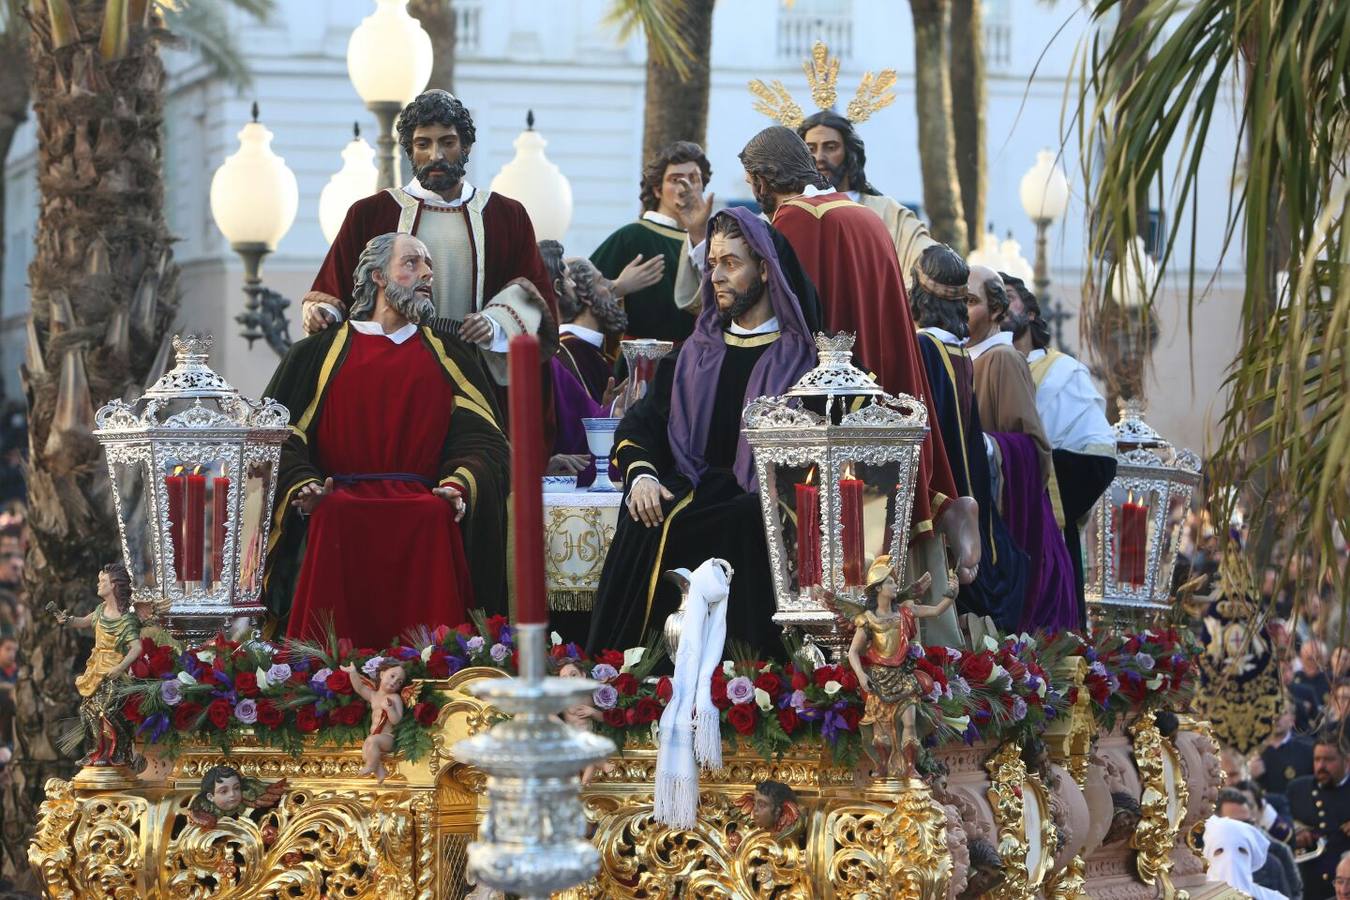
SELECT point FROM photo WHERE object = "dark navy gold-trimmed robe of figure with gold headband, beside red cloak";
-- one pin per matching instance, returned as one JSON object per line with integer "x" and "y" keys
{"x": 1000, "y": 588}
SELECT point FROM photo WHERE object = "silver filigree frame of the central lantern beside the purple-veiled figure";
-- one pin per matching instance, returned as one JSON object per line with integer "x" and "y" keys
{"x": 858, "y": 424}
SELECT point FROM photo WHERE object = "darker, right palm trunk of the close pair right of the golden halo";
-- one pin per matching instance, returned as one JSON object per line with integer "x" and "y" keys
{"x": 969, "y": 102}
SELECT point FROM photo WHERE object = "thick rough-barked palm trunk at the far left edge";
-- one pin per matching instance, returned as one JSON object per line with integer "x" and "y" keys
{"x": 102, "y": 244}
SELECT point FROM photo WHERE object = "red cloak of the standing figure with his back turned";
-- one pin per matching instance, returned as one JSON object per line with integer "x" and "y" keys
{"x": 848, "y": 253}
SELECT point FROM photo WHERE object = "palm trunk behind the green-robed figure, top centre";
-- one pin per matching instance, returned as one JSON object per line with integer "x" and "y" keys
{"x": 677, "y": 106}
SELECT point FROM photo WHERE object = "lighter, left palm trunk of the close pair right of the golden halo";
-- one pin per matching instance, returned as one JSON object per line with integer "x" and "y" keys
{"x": 938, "y": 144}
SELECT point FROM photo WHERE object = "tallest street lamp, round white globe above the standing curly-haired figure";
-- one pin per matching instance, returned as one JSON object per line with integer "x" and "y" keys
{"x": 389, "y": 61}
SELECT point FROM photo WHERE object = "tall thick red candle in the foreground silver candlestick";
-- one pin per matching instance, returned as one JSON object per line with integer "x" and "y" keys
{"x": 527, "y": 476}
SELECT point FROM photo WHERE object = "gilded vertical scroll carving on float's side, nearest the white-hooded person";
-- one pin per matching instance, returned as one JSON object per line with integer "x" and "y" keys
{"x": 1156, "y": 836}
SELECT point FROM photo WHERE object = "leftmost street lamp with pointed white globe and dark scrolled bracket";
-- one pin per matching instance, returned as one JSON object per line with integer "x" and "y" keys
{"x": 254, "y": 200}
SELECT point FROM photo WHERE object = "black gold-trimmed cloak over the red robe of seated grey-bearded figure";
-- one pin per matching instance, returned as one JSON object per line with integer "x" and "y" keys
{"x": 476, "y": 459}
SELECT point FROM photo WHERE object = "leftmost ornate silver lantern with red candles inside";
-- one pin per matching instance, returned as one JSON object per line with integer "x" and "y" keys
{"x": 194, "y": 470}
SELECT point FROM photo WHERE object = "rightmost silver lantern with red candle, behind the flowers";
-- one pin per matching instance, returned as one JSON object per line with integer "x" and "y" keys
{"x": 1133, "y": 532}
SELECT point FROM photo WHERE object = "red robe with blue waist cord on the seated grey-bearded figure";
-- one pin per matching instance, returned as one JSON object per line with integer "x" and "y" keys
{"x": 383, "y": 555}
